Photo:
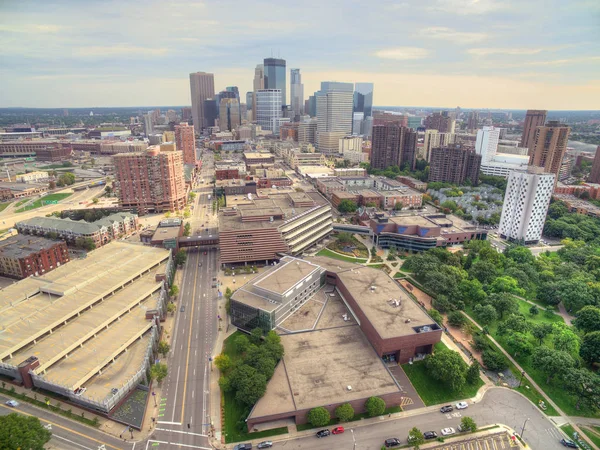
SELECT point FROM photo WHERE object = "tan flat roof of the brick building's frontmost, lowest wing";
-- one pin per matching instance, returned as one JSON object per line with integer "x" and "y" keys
{"x": 317, "y": 368}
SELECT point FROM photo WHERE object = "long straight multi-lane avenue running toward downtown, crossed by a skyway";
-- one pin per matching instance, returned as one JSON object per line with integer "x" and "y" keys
{"x": 184, "y": 410}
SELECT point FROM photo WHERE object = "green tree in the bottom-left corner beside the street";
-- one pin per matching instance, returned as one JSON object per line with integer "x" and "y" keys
{"x": 22, "y": 432}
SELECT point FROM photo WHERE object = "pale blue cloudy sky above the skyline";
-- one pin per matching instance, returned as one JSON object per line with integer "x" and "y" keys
{"x": 521, "y": 54}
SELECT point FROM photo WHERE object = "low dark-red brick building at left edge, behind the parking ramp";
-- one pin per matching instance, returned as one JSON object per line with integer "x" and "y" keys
{"x": 22, "y": 256}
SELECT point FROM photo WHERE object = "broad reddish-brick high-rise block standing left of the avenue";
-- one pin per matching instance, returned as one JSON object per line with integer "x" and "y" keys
{"x": 151, "y": 181}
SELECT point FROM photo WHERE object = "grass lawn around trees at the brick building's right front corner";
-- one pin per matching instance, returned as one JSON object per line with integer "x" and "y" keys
{"x": 432, "y": 391}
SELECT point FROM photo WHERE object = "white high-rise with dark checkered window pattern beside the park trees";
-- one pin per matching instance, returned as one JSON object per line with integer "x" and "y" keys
{"x": 525, "y": 205}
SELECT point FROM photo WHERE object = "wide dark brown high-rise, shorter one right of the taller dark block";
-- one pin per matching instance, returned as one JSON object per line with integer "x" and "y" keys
{"x": 454, "y": 164}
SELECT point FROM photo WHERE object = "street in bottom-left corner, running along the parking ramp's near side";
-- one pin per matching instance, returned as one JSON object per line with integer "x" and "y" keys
{"x": 66, "y": 434}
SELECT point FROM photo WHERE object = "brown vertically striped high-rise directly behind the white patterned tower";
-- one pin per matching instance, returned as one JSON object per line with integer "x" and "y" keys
{"x": 549, "y": 146}
